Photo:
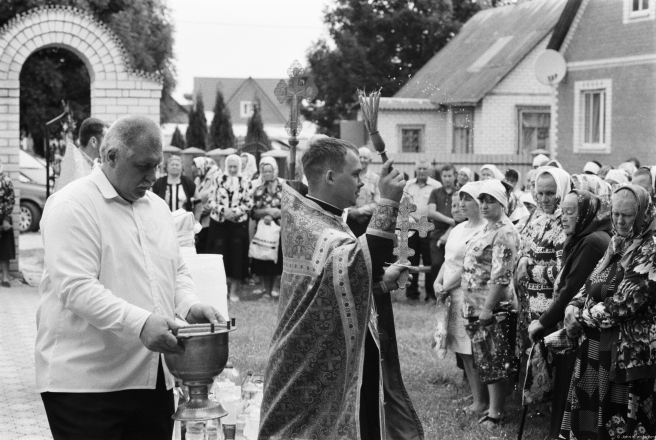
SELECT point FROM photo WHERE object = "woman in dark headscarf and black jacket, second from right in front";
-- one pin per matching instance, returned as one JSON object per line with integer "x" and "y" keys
{"x": 586, "y": 223}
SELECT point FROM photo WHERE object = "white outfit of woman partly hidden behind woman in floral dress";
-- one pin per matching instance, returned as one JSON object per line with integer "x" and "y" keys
{"x": 454, "y": 257}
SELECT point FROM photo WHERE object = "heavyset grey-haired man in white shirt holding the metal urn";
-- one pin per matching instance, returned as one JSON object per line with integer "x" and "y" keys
{"x": 112, "y": 285}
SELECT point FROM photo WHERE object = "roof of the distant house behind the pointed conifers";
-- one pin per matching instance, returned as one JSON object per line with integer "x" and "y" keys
{"x": 230, "y": 86}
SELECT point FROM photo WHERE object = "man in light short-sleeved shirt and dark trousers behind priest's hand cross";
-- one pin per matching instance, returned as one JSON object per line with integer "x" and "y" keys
{"x": 420, "y": 189}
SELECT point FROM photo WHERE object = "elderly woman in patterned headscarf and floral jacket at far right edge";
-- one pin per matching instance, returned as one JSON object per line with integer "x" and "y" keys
{"x": 612, "y": 392}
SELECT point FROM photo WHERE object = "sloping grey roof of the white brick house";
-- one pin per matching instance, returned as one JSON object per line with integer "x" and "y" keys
{"x": 486, "y": 49}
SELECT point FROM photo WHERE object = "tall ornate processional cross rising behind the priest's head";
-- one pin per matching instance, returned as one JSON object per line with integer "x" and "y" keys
{"x": 296, "y": 90}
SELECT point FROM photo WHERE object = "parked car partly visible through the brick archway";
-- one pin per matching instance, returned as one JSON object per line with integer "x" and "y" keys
{"x": 32, "y": 184}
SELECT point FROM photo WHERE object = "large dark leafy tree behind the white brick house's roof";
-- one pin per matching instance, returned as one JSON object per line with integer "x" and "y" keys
{"x": 378, "y": 43}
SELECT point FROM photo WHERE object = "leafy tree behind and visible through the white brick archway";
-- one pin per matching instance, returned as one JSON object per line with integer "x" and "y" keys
{"x": 54, "y": 74}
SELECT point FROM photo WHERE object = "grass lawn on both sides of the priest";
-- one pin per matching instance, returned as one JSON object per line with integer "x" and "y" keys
{"x": 434, "y": 385}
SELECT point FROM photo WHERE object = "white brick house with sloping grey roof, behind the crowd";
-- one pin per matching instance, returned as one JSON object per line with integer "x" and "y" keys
{"x": 478, "y": 100}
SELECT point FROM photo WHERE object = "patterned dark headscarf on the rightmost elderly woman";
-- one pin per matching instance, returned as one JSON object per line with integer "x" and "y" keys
{"x": 643, "y": 227}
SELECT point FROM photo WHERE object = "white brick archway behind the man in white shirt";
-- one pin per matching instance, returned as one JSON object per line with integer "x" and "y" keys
{"x": 116, "y": 88}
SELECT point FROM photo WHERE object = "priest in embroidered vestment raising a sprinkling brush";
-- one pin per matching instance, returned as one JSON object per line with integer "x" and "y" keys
{"x": 333, "y": 370}
